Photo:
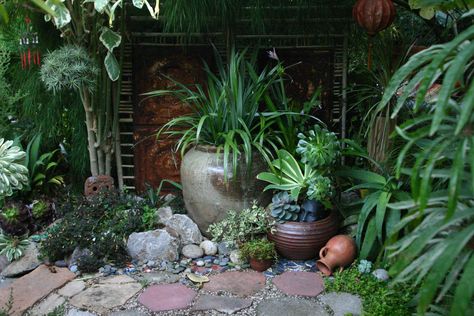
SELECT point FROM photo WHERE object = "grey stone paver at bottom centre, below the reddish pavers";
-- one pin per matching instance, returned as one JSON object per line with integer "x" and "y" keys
{"x": 223, "y": 304}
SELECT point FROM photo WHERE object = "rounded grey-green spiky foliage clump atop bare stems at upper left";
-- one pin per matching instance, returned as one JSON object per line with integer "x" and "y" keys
{"x": 69, "y": 67}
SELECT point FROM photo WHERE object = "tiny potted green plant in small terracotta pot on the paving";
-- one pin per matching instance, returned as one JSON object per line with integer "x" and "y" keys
{"x": 261, "y": 254}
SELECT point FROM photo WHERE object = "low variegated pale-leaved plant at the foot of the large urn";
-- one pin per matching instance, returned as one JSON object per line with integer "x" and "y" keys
{"x": 241, "y": 226}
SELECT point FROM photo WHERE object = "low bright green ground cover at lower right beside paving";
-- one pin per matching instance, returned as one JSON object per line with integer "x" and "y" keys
{"x": 378, "y": 297}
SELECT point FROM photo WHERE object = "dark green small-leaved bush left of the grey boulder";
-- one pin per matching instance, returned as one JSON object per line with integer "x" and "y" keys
{"x": 101, "y": 224}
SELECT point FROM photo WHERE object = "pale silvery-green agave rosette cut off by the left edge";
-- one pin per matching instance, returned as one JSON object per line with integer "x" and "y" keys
{"x": 13, "y": 174}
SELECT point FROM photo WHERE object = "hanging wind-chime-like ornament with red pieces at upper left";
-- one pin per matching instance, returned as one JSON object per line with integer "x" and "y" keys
{"x": 29, "y": 47}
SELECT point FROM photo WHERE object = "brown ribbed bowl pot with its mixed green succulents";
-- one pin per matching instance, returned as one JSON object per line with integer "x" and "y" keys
{"x": 302, "y": 203}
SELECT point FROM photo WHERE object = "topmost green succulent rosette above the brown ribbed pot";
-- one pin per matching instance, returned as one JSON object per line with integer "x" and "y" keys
{"x": 319, "y": 149}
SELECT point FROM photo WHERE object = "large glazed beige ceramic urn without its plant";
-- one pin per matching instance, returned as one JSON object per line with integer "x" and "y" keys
{"x": 208, "y": 195}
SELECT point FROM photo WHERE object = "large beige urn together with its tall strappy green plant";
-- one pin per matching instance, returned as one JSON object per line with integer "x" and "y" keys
{"x": 224, "y": 138}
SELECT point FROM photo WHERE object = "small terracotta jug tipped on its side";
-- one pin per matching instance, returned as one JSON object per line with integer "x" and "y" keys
{"x": 339, "y": 252}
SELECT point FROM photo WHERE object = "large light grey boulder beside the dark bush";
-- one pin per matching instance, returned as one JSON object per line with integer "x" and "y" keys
{"x": 156, "y": 245}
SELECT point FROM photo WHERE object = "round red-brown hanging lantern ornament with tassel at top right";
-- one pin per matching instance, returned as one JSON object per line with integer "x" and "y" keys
{"x": 374, "y": 16}
